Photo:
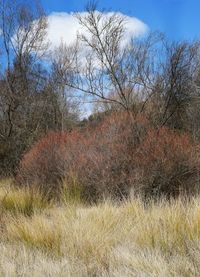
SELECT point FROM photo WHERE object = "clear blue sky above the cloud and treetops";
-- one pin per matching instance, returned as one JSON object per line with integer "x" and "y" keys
{"x": 179, "y": 19}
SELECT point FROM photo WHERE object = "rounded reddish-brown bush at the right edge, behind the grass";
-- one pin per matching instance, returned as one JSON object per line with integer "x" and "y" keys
{"x": 165, "y": 160}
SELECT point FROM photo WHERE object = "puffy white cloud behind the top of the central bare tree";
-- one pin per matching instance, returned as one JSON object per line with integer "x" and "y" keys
{"x": 64, "y": 27}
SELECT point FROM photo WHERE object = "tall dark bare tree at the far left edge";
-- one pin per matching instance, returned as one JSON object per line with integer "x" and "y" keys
{"x": 23, "y": 30}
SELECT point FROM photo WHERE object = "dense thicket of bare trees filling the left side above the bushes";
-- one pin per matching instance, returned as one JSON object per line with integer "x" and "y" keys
{"x": 32, "y": 101}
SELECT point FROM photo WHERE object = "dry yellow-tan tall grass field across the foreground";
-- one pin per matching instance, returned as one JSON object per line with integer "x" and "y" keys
{"x": 41, "y": 238}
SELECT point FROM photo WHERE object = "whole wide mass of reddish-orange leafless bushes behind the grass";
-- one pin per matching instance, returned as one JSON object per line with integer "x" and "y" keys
{"x": 119, "y": 154}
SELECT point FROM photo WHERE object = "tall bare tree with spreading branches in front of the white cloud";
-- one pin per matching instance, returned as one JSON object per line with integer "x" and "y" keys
{"x": 106, "y": 69}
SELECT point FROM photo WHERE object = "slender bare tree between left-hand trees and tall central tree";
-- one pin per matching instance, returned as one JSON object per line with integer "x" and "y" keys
{"x": 63, "y": 59}
